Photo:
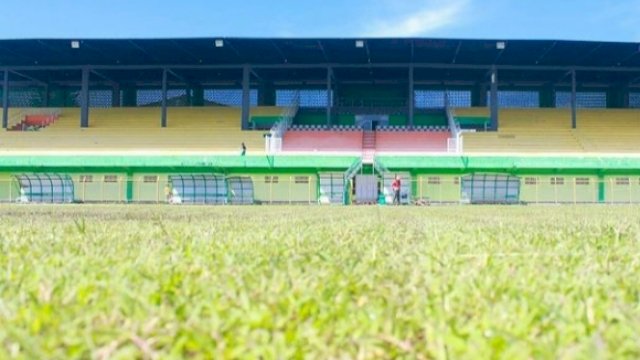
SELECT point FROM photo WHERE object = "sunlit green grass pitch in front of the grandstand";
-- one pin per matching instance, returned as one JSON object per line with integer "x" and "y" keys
{"x": 310, "y": 282}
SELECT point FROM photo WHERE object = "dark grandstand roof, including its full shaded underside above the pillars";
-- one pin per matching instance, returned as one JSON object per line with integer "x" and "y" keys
{"x": 307, "y": 59}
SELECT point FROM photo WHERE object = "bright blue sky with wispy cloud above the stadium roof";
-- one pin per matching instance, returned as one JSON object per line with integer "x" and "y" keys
{"x": 608, "y": 20}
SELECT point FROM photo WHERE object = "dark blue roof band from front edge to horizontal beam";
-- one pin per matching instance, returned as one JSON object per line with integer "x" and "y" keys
{"x": 238, "y": 51}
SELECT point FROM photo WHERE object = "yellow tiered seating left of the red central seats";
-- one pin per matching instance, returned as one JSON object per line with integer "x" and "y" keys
{"x": 210, "y": 129}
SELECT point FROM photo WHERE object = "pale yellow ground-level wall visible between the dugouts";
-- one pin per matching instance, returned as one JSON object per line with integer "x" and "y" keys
{"x": 307, "y": 190}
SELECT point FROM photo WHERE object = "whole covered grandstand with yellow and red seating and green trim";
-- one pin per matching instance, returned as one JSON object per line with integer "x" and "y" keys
{"x": 329, "y": 121}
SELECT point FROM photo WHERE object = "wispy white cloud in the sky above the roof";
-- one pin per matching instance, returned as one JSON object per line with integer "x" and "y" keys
{"x": 434, "y": 15}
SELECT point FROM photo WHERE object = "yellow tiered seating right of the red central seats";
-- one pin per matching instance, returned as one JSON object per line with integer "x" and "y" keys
{"x": 549, "y": 131}
